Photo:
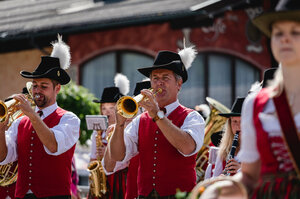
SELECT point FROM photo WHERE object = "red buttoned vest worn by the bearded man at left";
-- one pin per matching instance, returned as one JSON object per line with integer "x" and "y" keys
{"x": 45, "y": 175}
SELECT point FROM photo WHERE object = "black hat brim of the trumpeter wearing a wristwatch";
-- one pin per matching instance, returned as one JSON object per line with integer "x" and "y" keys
{"x": 174, "y": 66}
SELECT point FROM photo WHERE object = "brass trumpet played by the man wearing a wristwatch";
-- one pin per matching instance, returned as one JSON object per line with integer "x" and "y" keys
{"x": 128, "y": 106}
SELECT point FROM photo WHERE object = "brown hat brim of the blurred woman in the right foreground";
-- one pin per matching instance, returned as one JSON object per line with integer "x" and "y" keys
{"x": 264, "y": 21}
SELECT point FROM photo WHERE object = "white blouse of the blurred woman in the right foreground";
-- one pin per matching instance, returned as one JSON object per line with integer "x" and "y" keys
{"x": 249, "y": 152}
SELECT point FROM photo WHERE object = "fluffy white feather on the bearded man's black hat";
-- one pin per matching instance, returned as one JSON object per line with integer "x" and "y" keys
{"x": 62, "y": 51}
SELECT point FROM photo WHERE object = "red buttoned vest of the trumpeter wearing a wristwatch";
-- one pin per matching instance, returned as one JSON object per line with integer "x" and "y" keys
{"x": 162, "y": 167}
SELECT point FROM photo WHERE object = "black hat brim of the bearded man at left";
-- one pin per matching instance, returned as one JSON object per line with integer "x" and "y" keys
{"x": 57, "y": 74}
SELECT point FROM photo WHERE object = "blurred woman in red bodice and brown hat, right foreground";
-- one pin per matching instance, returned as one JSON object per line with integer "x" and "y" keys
{"x": 270, "y": 164}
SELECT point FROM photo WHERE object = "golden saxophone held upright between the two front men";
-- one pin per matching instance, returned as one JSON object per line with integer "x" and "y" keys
{"x": 98, "y": 186}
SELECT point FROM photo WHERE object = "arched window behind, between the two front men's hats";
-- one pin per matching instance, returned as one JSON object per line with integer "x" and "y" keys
{"x": 99, "y": 72}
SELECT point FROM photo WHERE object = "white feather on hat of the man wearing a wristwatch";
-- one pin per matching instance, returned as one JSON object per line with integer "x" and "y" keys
{"x": 187, "y": 55}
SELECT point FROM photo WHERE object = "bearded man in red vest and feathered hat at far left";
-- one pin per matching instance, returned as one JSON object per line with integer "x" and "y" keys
{"x": 43, "y": 141}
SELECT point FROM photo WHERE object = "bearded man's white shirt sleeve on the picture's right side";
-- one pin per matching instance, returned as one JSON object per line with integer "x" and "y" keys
{"x": 66, "y": 133}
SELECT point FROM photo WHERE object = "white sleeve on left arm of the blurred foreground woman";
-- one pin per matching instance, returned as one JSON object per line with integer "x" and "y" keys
{"x": 249, "y": 152}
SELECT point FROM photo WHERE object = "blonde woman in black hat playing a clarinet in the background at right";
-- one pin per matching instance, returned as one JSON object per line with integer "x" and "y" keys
{"x": 224, "y": 164}
